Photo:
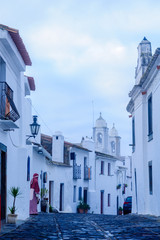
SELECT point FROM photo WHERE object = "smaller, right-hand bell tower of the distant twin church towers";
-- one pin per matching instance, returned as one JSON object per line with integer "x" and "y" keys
{"x": 114, "y": 142}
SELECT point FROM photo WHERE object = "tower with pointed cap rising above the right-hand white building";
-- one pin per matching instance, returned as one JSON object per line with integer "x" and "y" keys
{"x": 144, "y": 58}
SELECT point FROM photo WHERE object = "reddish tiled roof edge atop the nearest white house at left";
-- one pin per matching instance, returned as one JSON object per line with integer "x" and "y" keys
{"x": 14, "y": 33}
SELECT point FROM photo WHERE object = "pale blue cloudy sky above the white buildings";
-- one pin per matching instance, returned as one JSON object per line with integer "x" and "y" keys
{"x": 84, "y": 54}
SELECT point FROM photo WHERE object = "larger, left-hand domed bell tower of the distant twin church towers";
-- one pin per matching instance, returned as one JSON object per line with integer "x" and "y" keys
{"x": 100, "y": 135}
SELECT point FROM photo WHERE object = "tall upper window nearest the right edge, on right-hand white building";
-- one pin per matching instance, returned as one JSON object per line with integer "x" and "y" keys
{"x": 150, "y": 127}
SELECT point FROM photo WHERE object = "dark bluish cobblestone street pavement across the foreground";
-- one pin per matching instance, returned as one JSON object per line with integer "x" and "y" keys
{"x": 86, "y": 226}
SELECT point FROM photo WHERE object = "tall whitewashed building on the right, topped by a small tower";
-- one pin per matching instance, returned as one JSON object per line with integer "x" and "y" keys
{"x": 145, "y": 113}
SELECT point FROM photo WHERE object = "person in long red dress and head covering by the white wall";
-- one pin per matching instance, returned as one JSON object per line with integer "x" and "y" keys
{"x": 34, "y": 194}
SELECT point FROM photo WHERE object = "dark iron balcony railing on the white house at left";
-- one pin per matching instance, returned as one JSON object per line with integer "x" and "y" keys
{"x": 8, "y": 110}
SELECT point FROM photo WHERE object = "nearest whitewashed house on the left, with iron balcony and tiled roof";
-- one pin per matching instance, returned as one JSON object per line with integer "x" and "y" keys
{"x": 15, "y": 117}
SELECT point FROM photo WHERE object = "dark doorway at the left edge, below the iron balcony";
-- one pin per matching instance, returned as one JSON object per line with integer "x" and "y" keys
{"x": 3, "y": 181}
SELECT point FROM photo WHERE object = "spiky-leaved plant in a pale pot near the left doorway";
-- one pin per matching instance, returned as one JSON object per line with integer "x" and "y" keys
{"x": 14, "y": 192}
